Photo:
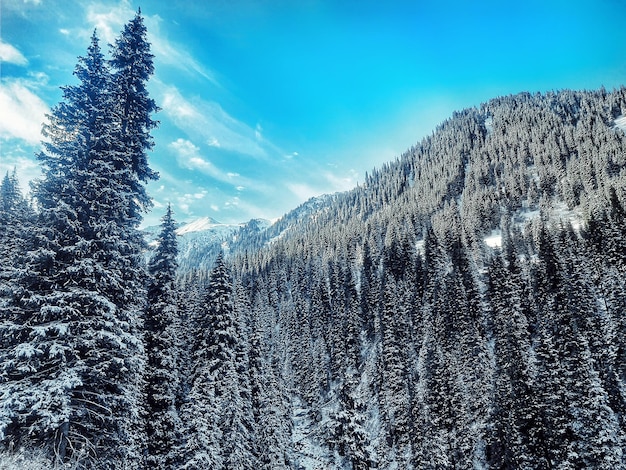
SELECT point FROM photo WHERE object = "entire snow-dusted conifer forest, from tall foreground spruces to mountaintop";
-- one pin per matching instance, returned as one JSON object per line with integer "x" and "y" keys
{"x": 464, "y": 307}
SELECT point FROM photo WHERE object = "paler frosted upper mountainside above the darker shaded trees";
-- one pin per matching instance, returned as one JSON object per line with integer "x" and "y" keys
{"x": 511, "y": 154}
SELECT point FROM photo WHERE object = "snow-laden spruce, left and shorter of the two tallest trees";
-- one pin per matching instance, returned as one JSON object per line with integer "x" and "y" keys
{"x": 43, "y": 366}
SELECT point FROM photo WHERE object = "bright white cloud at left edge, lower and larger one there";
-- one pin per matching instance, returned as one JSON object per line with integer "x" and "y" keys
{"x": 23, "y": 112}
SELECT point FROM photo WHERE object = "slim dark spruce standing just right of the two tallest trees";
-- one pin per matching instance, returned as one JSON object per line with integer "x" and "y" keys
{"x": 163, "y": 424}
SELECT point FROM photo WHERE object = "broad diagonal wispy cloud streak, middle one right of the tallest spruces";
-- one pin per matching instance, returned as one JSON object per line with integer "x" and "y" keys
{"x": 208, "y": 122}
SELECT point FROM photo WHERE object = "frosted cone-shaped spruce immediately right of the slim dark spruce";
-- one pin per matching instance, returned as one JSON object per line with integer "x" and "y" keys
{"x": 218, "y": 435}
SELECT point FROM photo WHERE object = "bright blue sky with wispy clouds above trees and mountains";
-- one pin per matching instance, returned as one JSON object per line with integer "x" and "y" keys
{"x": 266, "y": 103}
